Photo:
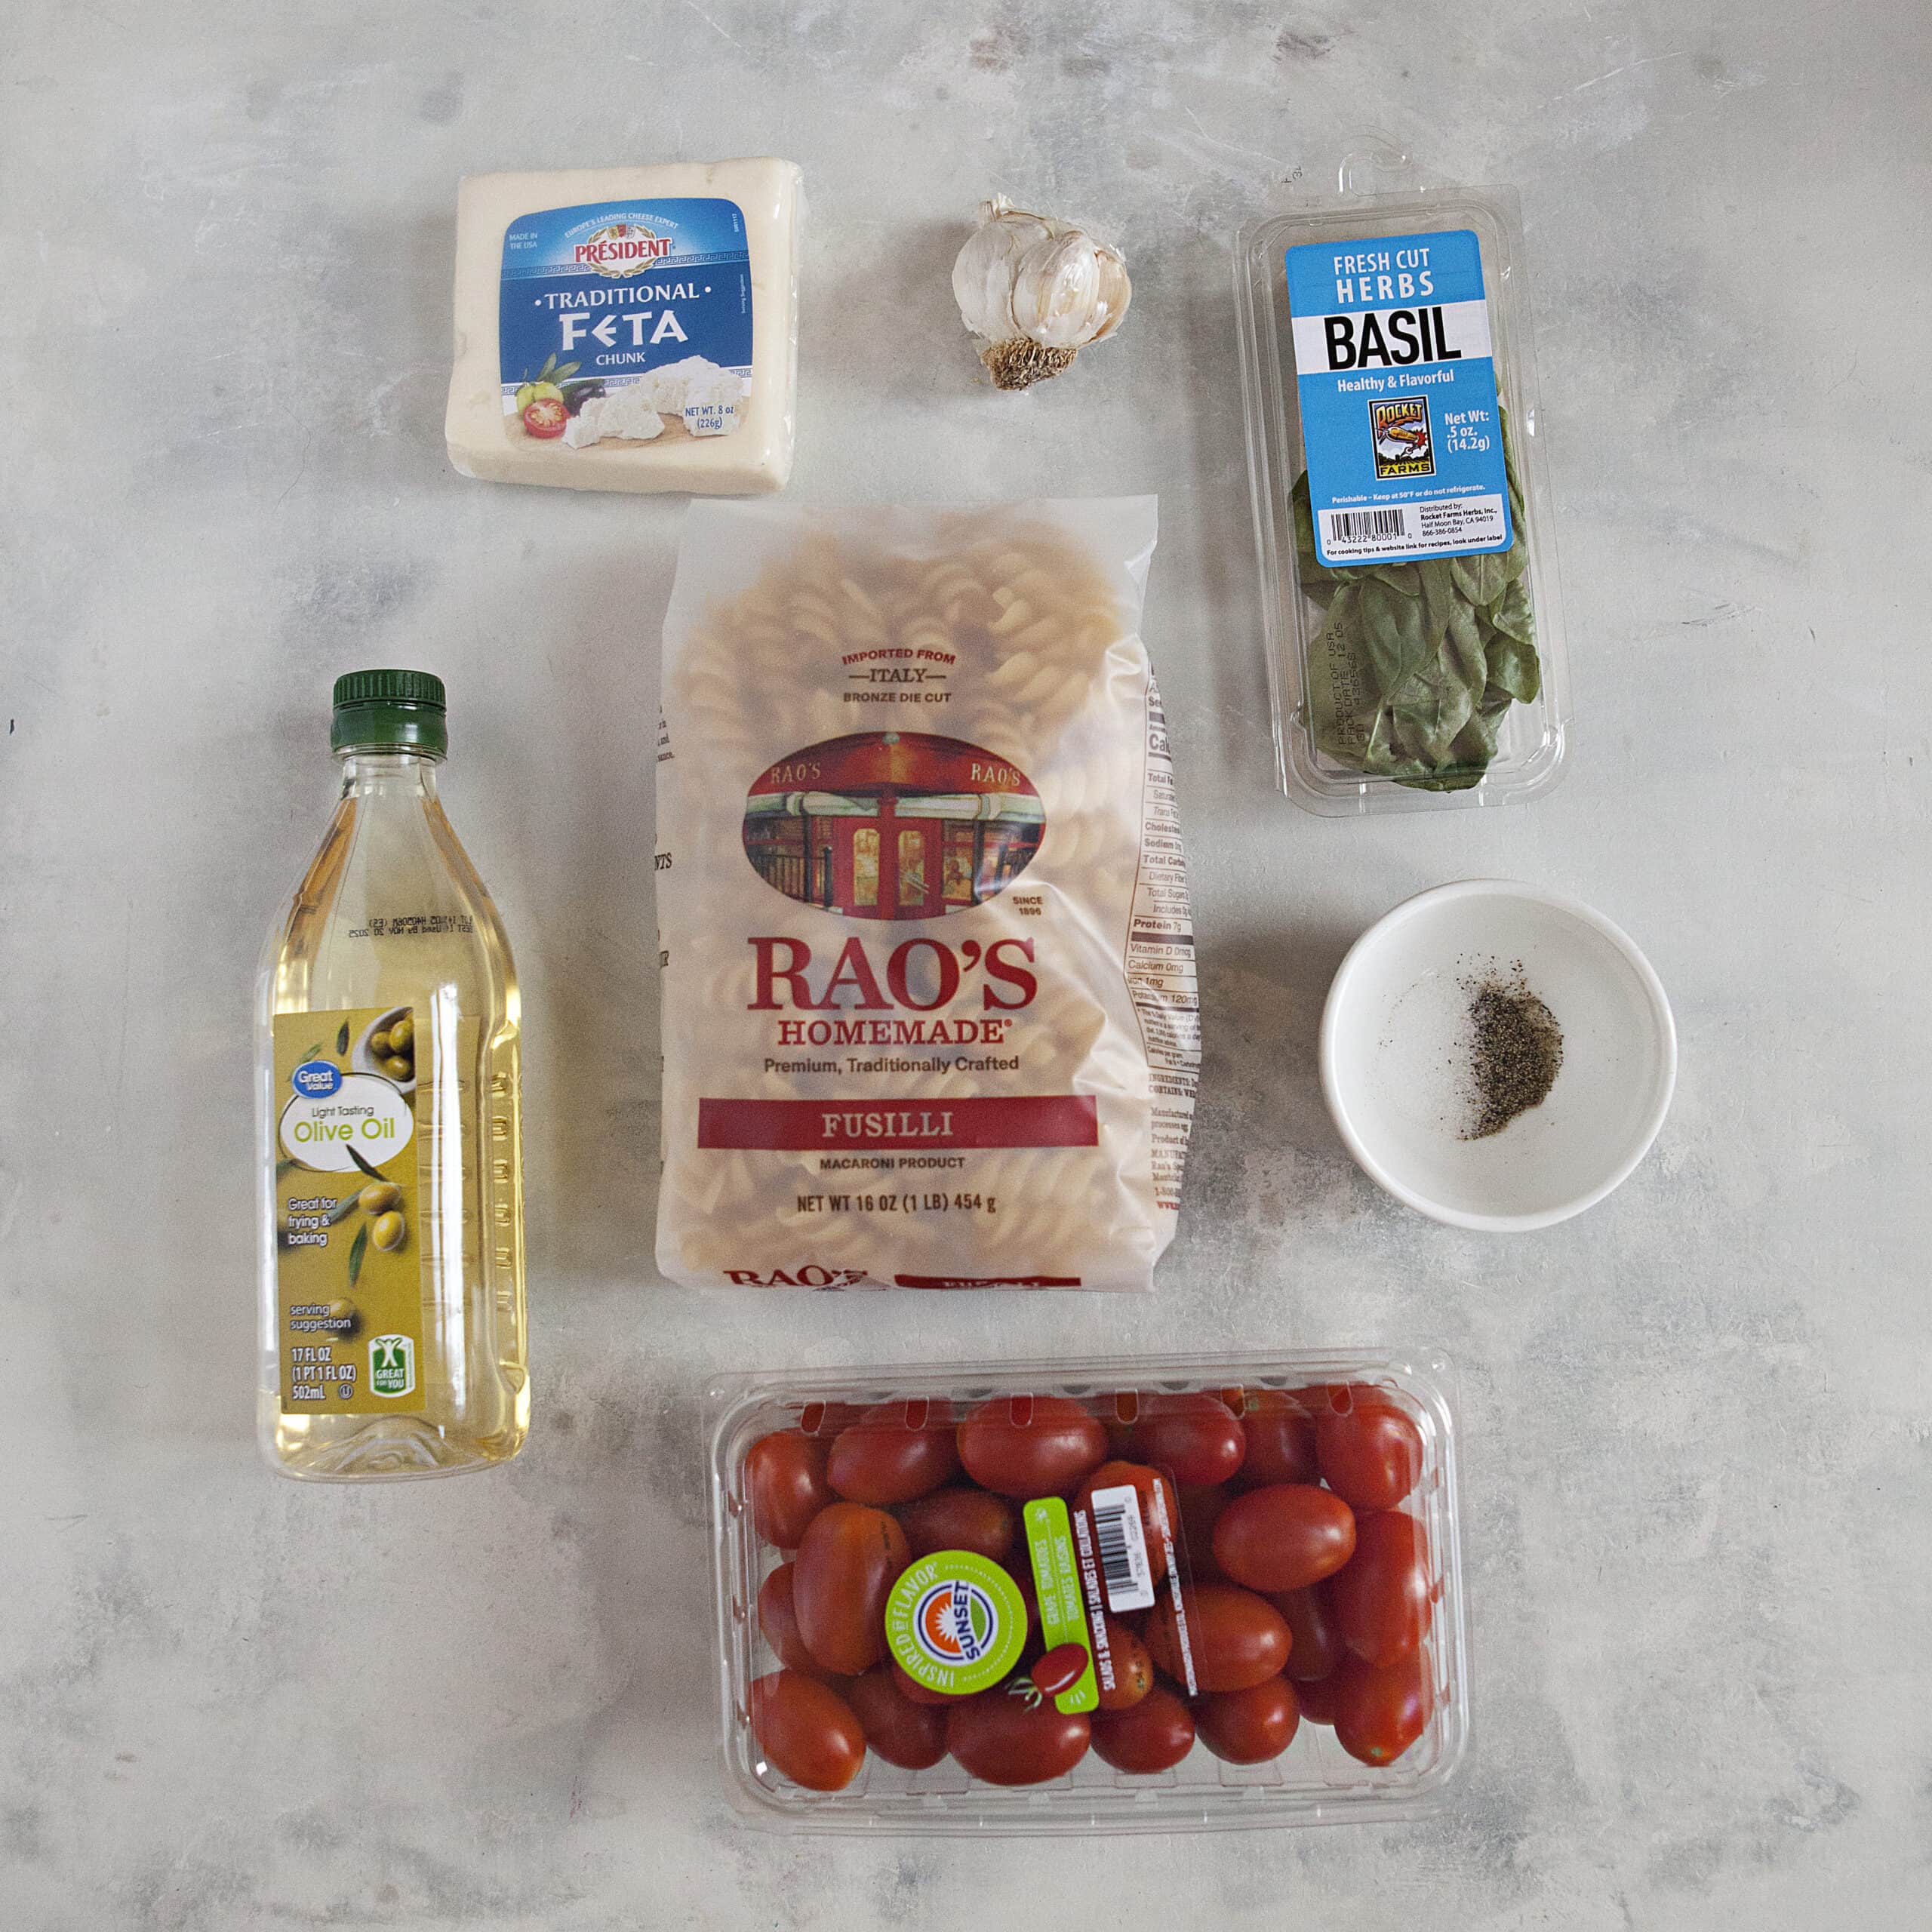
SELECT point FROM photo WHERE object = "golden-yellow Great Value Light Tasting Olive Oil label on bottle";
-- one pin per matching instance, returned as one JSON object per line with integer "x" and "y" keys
{"x": 347, "y": 1210}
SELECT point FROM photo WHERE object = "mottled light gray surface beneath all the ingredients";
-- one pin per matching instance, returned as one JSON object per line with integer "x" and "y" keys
{"x": 1697, "y": 1421}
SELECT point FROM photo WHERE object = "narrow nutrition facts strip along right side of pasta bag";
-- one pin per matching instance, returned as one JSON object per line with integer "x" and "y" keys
{"x": 1160, "y": 963}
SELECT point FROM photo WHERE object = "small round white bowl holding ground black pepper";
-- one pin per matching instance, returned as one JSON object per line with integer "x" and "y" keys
{"x": 1396, "y": 1062}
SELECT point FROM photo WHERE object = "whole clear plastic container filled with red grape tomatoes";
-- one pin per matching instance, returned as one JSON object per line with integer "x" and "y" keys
{"x": 1091, "y": 1597}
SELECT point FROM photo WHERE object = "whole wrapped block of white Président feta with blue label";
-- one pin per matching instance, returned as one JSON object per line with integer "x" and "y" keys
{"x": 629, "y": 327}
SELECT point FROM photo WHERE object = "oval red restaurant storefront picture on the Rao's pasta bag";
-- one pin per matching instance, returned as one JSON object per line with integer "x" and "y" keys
{"x": 892, "y": 826}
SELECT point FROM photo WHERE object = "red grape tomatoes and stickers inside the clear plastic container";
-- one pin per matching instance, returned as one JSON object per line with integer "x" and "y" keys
{"x": 1040, "y": 1577}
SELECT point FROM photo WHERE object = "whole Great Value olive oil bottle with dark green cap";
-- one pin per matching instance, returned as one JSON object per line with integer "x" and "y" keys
{"x": 391, "y": 1166}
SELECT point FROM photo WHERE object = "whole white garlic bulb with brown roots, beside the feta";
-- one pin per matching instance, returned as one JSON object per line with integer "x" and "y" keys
{"x": 1037, "y": 291}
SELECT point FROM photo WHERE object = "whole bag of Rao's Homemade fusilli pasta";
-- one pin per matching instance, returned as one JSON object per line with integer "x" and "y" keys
{"x": 923, "y": 913}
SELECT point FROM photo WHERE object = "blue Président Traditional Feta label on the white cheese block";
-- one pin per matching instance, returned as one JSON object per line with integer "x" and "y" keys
{"x": 598, "y": 297}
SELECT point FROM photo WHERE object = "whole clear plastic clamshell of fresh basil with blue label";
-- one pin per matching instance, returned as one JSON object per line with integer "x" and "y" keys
{"x": 1402, "y": 683}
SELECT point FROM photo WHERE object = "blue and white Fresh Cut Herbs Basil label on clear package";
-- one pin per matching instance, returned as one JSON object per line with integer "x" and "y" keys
{"x": 1398, "y": 391}
